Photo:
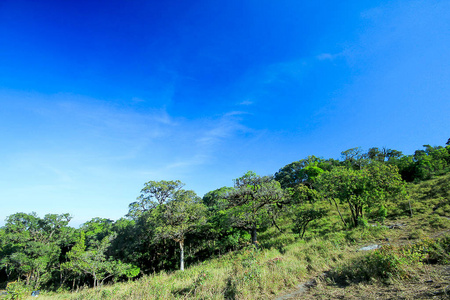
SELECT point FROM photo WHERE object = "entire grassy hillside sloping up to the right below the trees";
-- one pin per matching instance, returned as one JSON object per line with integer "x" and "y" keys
{"x": 413, "y": 262}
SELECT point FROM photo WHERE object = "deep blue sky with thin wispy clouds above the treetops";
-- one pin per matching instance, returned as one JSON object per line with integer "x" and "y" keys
{"x": 99, "y": 97}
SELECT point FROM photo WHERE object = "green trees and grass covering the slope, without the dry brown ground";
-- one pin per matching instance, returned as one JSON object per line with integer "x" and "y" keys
{"x": 254, "y": 240}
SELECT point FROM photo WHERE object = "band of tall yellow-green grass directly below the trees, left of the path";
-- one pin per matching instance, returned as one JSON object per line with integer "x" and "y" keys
{"x": 251, "y": 273}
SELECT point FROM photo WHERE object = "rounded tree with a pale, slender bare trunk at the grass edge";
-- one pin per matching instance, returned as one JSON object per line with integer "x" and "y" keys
{"x": 165, "y": 210}
